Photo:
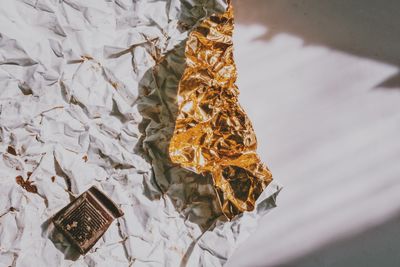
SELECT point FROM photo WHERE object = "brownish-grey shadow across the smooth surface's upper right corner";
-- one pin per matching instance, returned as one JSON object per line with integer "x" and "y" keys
{"x": 365, "y": 28}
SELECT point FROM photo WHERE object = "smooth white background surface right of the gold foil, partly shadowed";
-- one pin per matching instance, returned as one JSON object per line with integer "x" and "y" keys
{"x": 320, "y": 82}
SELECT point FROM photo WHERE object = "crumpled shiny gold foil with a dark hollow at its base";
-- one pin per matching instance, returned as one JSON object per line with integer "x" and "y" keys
{"x": 213, "y": 136}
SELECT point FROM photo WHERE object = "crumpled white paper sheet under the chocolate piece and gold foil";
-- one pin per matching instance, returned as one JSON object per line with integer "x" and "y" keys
{"x": 74, "y": 105}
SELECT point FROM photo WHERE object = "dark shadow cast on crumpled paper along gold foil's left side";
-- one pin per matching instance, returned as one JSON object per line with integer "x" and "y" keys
{"x": 192, "y": 194}
